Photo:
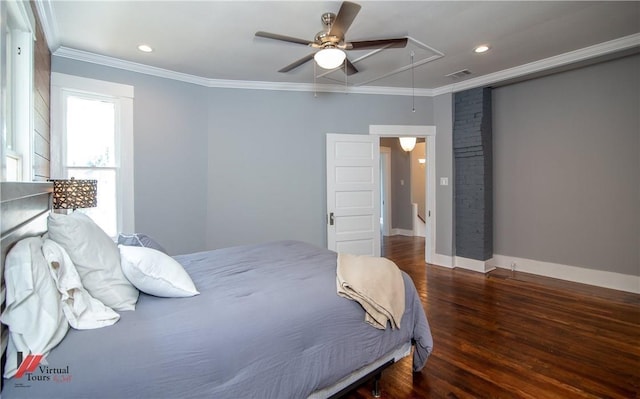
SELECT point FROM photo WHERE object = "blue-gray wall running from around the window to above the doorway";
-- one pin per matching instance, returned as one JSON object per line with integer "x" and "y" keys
{"x": 219, "y": 167}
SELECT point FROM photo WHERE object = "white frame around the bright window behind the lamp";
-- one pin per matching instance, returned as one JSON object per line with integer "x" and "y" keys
{"x": 122, "y": 95}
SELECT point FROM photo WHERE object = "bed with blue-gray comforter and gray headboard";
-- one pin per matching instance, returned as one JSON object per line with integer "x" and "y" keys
{"x": 267, "y": 323}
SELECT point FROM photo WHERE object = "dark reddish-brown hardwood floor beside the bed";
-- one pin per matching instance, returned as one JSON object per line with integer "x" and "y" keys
{"x": 515, "y": 335}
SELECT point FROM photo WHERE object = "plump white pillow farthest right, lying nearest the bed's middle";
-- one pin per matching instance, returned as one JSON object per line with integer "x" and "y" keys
{"x": 155, "y": 272}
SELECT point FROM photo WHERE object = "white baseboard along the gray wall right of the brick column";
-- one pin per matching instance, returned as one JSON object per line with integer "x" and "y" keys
{"x": 600, "y": 278}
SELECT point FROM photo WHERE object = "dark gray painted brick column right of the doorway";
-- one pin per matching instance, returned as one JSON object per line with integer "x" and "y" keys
{"x": 472, "y": 149}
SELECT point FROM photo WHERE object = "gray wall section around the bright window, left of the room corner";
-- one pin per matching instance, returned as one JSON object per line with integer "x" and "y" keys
{"x": 170, "y": 154}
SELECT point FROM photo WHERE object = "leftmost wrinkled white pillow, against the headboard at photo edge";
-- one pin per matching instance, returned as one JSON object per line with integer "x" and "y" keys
{"x": 33, "y": 312}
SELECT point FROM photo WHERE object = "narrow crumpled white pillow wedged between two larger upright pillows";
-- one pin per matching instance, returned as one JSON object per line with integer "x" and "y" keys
{"x": 81, "y": 309}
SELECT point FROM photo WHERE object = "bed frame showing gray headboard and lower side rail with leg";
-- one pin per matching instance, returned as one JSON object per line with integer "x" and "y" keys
{"x": 25, "y": 207}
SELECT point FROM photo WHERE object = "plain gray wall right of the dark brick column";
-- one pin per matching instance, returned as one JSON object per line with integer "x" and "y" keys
{"x": 567, "y": 168}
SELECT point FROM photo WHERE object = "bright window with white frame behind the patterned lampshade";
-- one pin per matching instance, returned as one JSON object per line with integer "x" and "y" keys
{"x": 91, "y": 138}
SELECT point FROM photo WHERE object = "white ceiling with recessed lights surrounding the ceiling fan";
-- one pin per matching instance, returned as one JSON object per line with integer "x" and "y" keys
{"x": 213, "y": 41}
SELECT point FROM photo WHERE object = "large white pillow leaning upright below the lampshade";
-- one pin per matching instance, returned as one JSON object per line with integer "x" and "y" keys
{"x": 96, "y": 258}
